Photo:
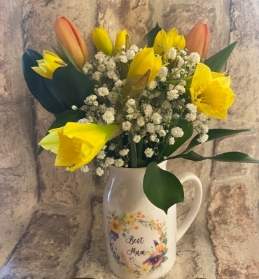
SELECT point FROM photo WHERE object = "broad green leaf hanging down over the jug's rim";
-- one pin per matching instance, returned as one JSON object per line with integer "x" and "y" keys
{"x": 162, "y": 188}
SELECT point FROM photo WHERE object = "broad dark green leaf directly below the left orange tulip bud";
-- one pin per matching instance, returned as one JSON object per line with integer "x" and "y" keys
{"x": 72, "y": 86}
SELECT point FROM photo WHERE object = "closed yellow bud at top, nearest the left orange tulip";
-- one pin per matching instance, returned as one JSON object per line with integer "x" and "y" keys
{"x": 102, "y": 40}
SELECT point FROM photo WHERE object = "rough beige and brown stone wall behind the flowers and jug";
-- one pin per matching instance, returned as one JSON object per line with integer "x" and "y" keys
{"x": 51, "y": 221}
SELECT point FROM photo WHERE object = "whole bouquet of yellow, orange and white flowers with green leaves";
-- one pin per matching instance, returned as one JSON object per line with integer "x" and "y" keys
{"x": 132, "y": 107}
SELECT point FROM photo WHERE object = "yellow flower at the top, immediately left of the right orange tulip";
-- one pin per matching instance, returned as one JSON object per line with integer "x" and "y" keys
{"x": 164, "y": 41}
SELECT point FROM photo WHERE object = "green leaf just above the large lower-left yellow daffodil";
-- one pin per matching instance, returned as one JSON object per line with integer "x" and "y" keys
{"x": 62, "y": 119}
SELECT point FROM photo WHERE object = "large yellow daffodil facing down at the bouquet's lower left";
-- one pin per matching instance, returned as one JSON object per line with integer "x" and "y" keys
{"x": 76, "y": 144}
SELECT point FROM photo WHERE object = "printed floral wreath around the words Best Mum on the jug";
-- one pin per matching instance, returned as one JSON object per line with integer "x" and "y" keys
{"x": 130, "y": 228}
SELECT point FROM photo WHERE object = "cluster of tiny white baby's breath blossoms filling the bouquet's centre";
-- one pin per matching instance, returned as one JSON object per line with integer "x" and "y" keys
{"x": 148, "y": 119}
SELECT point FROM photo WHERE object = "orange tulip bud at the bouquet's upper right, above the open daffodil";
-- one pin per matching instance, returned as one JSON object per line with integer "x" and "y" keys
{"x": 198, "y": 39}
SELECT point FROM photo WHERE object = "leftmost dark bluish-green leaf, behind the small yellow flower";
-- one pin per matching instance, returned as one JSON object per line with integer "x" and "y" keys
{"x": 40, "y": 87}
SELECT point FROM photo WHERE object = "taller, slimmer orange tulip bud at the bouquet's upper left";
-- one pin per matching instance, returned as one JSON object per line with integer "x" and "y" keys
{"x": 69, "y": 36}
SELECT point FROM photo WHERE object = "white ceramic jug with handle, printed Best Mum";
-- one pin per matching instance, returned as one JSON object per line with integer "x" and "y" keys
{"x": 141, "y": 238}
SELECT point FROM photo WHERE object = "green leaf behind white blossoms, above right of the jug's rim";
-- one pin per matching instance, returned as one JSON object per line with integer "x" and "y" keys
{"x": 188, "y": 131}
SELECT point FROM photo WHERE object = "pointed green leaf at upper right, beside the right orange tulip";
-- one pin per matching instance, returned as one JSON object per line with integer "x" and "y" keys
{"x": 218, "y": 60}
